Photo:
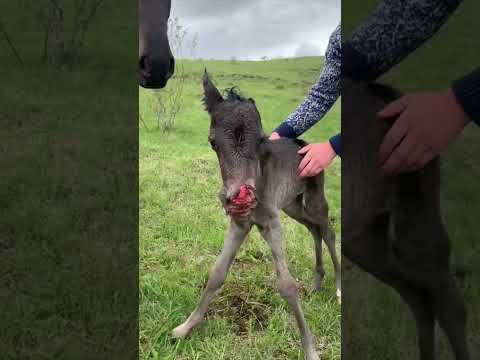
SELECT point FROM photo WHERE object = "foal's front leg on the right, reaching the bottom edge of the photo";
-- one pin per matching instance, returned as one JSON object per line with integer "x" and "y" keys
{"x": 272, "y": 233}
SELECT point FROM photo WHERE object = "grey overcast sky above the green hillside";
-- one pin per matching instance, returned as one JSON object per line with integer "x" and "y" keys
{"x": 251, "y": 29}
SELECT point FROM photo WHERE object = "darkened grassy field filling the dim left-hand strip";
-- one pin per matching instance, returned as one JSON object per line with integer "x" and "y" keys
{"x": 68, "y": 215}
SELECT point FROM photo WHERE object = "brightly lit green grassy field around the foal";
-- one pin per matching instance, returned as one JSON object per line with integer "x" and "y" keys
{"x": 182, "y": 227}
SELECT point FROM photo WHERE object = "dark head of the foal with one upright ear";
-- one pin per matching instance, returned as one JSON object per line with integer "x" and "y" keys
{"x": 235, "y": 135}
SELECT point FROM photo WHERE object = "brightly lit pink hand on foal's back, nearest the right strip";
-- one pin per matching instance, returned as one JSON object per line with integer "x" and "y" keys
{"x": 317, "y": 158}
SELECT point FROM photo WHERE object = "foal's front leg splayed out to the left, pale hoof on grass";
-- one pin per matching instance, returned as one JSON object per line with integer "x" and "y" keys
{"x": 234, "y": 239}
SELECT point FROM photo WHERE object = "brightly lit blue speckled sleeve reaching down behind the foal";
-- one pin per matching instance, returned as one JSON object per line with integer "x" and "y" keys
{"x": 322, "y": 96}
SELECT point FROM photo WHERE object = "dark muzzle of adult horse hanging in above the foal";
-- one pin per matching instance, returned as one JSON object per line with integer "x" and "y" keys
{"x": 156, "y": 62}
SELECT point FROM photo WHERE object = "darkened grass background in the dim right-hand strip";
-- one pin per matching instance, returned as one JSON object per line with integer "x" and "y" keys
{"x": 384, "y": 329}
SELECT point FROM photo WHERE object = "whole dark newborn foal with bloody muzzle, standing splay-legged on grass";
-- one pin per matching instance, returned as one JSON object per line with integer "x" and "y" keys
{"x": 259, "y": 180}
